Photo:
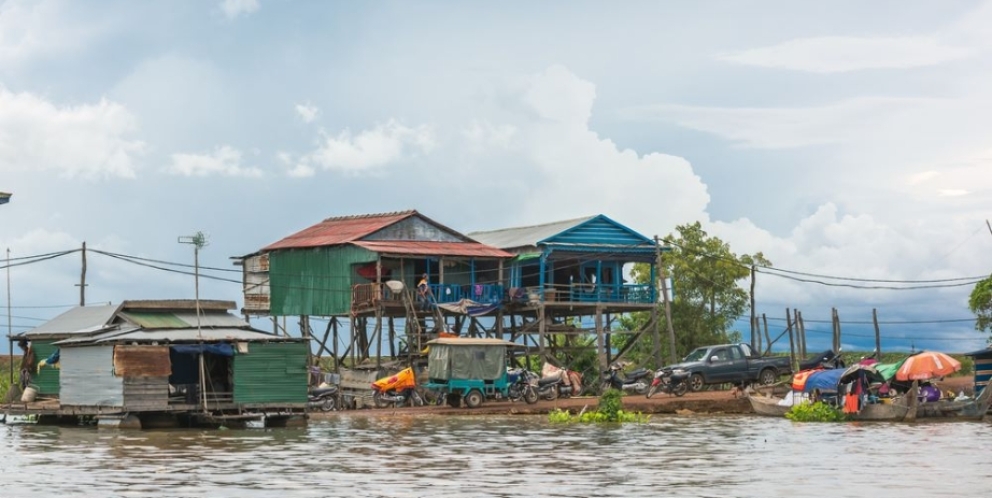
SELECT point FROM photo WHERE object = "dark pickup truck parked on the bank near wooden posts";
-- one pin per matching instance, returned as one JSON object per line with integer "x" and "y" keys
{"x": 731, "y": 363}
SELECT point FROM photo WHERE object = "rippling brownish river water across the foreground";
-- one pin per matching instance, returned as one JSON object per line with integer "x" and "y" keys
{"x": 503, "y": 456}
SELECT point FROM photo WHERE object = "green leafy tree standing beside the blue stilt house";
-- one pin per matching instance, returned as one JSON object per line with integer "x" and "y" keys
{"x": 708, "y": 296}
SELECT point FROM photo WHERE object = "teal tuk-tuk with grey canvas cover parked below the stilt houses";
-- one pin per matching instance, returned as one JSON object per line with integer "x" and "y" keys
{"x": 468, "y": 368}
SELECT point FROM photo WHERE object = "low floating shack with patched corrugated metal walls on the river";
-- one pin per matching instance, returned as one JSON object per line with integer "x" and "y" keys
{"x": 164, "y": 359}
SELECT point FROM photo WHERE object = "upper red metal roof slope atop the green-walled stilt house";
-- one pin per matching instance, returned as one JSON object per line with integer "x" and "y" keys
{"x": 340, "y": 230}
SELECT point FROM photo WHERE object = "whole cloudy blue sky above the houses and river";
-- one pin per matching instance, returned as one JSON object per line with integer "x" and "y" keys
{"x": 844, "y": 139}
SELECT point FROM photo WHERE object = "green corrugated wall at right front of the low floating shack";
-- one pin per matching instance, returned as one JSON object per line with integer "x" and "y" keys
{"x": 271, "y": 373}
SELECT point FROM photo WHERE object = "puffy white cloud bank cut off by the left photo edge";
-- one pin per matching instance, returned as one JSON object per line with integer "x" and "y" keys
{"x": 89, "y": 140}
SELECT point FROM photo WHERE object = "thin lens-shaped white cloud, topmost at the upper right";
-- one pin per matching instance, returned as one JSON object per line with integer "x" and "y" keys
{"x": 832, "y": 54}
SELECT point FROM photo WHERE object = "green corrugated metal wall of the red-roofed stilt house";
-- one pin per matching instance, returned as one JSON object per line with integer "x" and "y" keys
{"x": 313, "y": 281}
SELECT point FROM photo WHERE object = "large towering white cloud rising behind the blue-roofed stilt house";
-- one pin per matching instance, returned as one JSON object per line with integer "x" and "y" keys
{"x": 537, "y": 151}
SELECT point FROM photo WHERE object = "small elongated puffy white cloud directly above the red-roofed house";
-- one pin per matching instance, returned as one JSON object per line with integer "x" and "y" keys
{"x": 369, "y": 149}
